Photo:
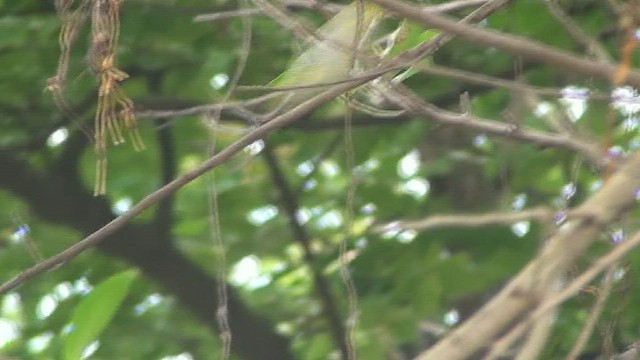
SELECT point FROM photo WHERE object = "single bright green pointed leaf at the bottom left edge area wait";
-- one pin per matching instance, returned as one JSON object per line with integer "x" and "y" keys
{"x": 95, "y": 312}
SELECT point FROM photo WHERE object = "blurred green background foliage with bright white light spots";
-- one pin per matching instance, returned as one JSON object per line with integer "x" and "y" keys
{"x": 404, "y": 279}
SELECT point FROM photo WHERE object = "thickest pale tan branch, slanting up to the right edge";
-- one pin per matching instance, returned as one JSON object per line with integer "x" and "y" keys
{"x": 523, "y": 292}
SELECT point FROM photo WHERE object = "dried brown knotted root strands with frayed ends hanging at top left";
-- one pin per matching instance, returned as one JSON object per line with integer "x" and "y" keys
{"x": 115, "y": 113}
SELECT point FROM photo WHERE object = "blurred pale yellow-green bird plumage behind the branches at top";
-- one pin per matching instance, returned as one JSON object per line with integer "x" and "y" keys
{"x": 330, "y": 59}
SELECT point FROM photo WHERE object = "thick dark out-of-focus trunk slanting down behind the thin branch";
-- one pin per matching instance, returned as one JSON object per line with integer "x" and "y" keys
{"x": 58, "y": 196}
